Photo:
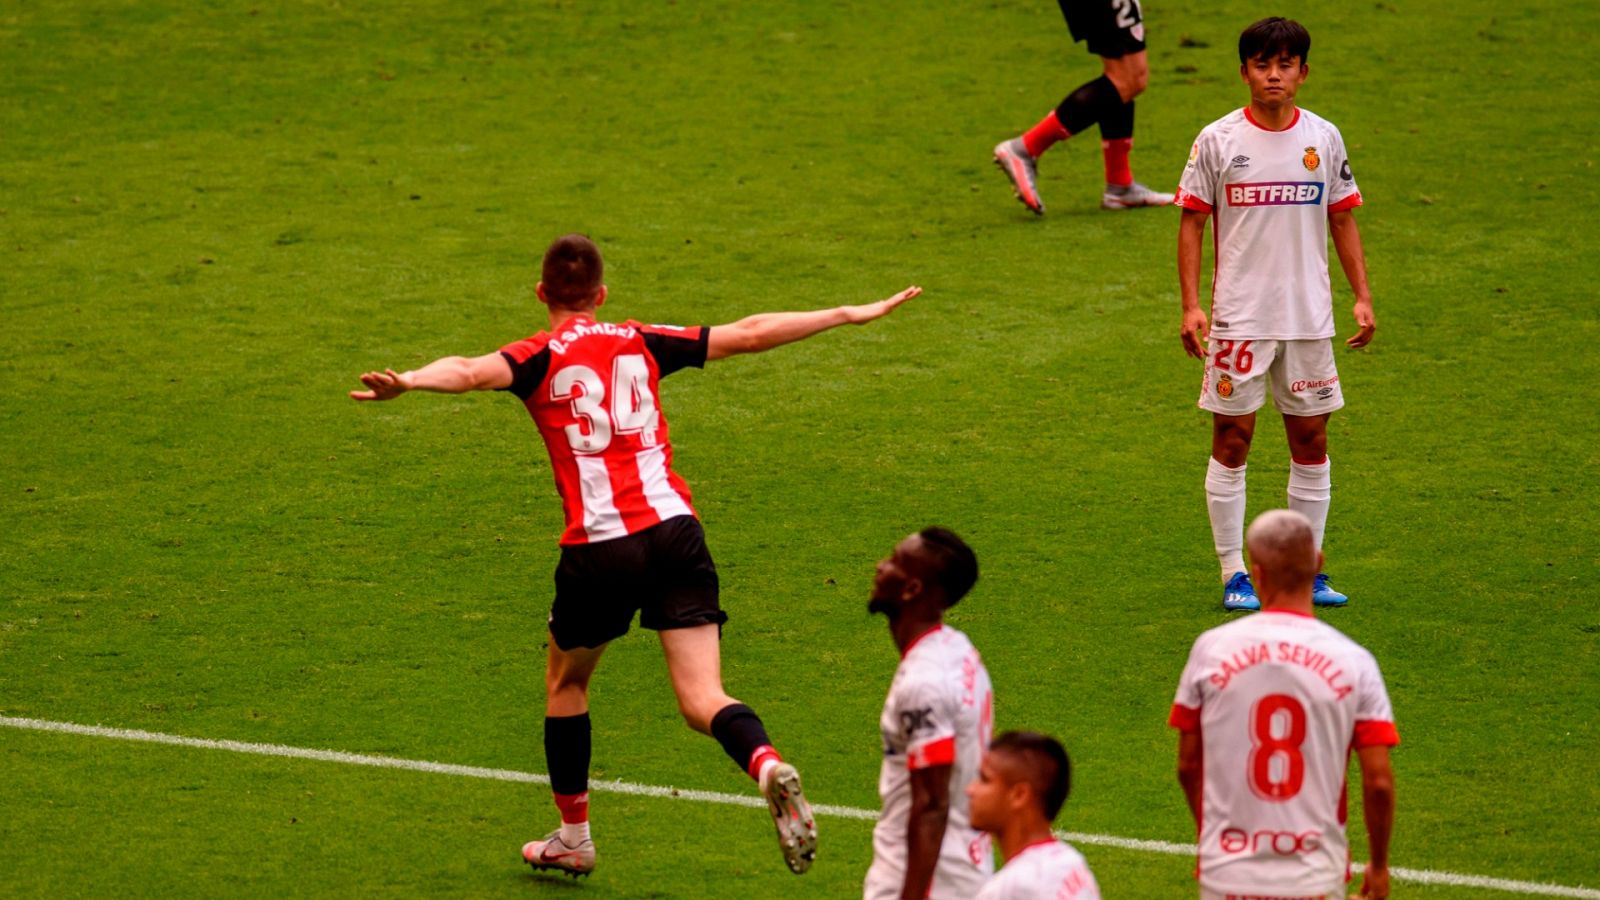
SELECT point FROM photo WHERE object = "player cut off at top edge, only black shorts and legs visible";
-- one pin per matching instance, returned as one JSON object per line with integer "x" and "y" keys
{"x": 1114, "y": 31}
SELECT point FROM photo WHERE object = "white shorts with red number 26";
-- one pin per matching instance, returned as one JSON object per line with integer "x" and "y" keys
{"x": 1305, "y": 380}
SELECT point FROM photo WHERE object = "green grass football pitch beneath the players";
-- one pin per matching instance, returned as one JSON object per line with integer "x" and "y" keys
{"x": 215, "y": 215}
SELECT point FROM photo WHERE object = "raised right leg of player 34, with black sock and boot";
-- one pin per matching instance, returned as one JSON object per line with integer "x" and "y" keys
{"x": 695, "y": 664}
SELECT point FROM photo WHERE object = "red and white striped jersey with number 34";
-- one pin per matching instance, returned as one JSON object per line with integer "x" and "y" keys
{"x": 591, "y": 388}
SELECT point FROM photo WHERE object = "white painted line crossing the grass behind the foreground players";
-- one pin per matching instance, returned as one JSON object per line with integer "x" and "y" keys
{"x": 1422, "y": 877}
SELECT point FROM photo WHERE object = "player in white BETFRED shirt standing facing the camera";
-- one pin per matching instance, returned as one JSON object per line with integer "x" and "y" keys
{"x": 1278, "y": 182}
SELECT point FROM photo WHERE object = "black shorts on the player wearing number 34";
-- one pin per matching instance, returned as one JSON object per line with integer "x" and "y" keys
{"x": 663, "y": 573}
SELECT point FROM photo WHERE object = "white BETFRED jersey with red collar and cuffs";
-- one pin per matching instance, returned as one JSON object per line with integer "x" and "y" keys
{"x": 1270, "y": 195}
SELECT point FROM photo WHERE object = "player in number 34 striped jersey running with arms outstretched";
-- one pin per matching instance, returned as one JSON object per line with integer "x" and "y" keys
{"x": 633, "y": 542}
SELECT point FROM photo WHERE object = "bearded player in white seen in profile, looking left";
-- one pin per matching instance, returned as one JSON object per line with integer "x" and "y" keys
{"x": 937, "y": 725}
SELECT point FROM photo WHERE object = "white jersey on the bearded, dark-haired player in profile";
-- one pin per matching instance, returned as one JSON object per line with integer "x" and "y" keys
{"x": 940, "y": 712}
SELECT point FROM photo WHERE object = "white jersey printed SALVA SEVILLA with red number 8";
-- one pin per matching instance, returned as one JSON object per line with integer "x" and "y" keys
{"x": 1281, "y": 701}
